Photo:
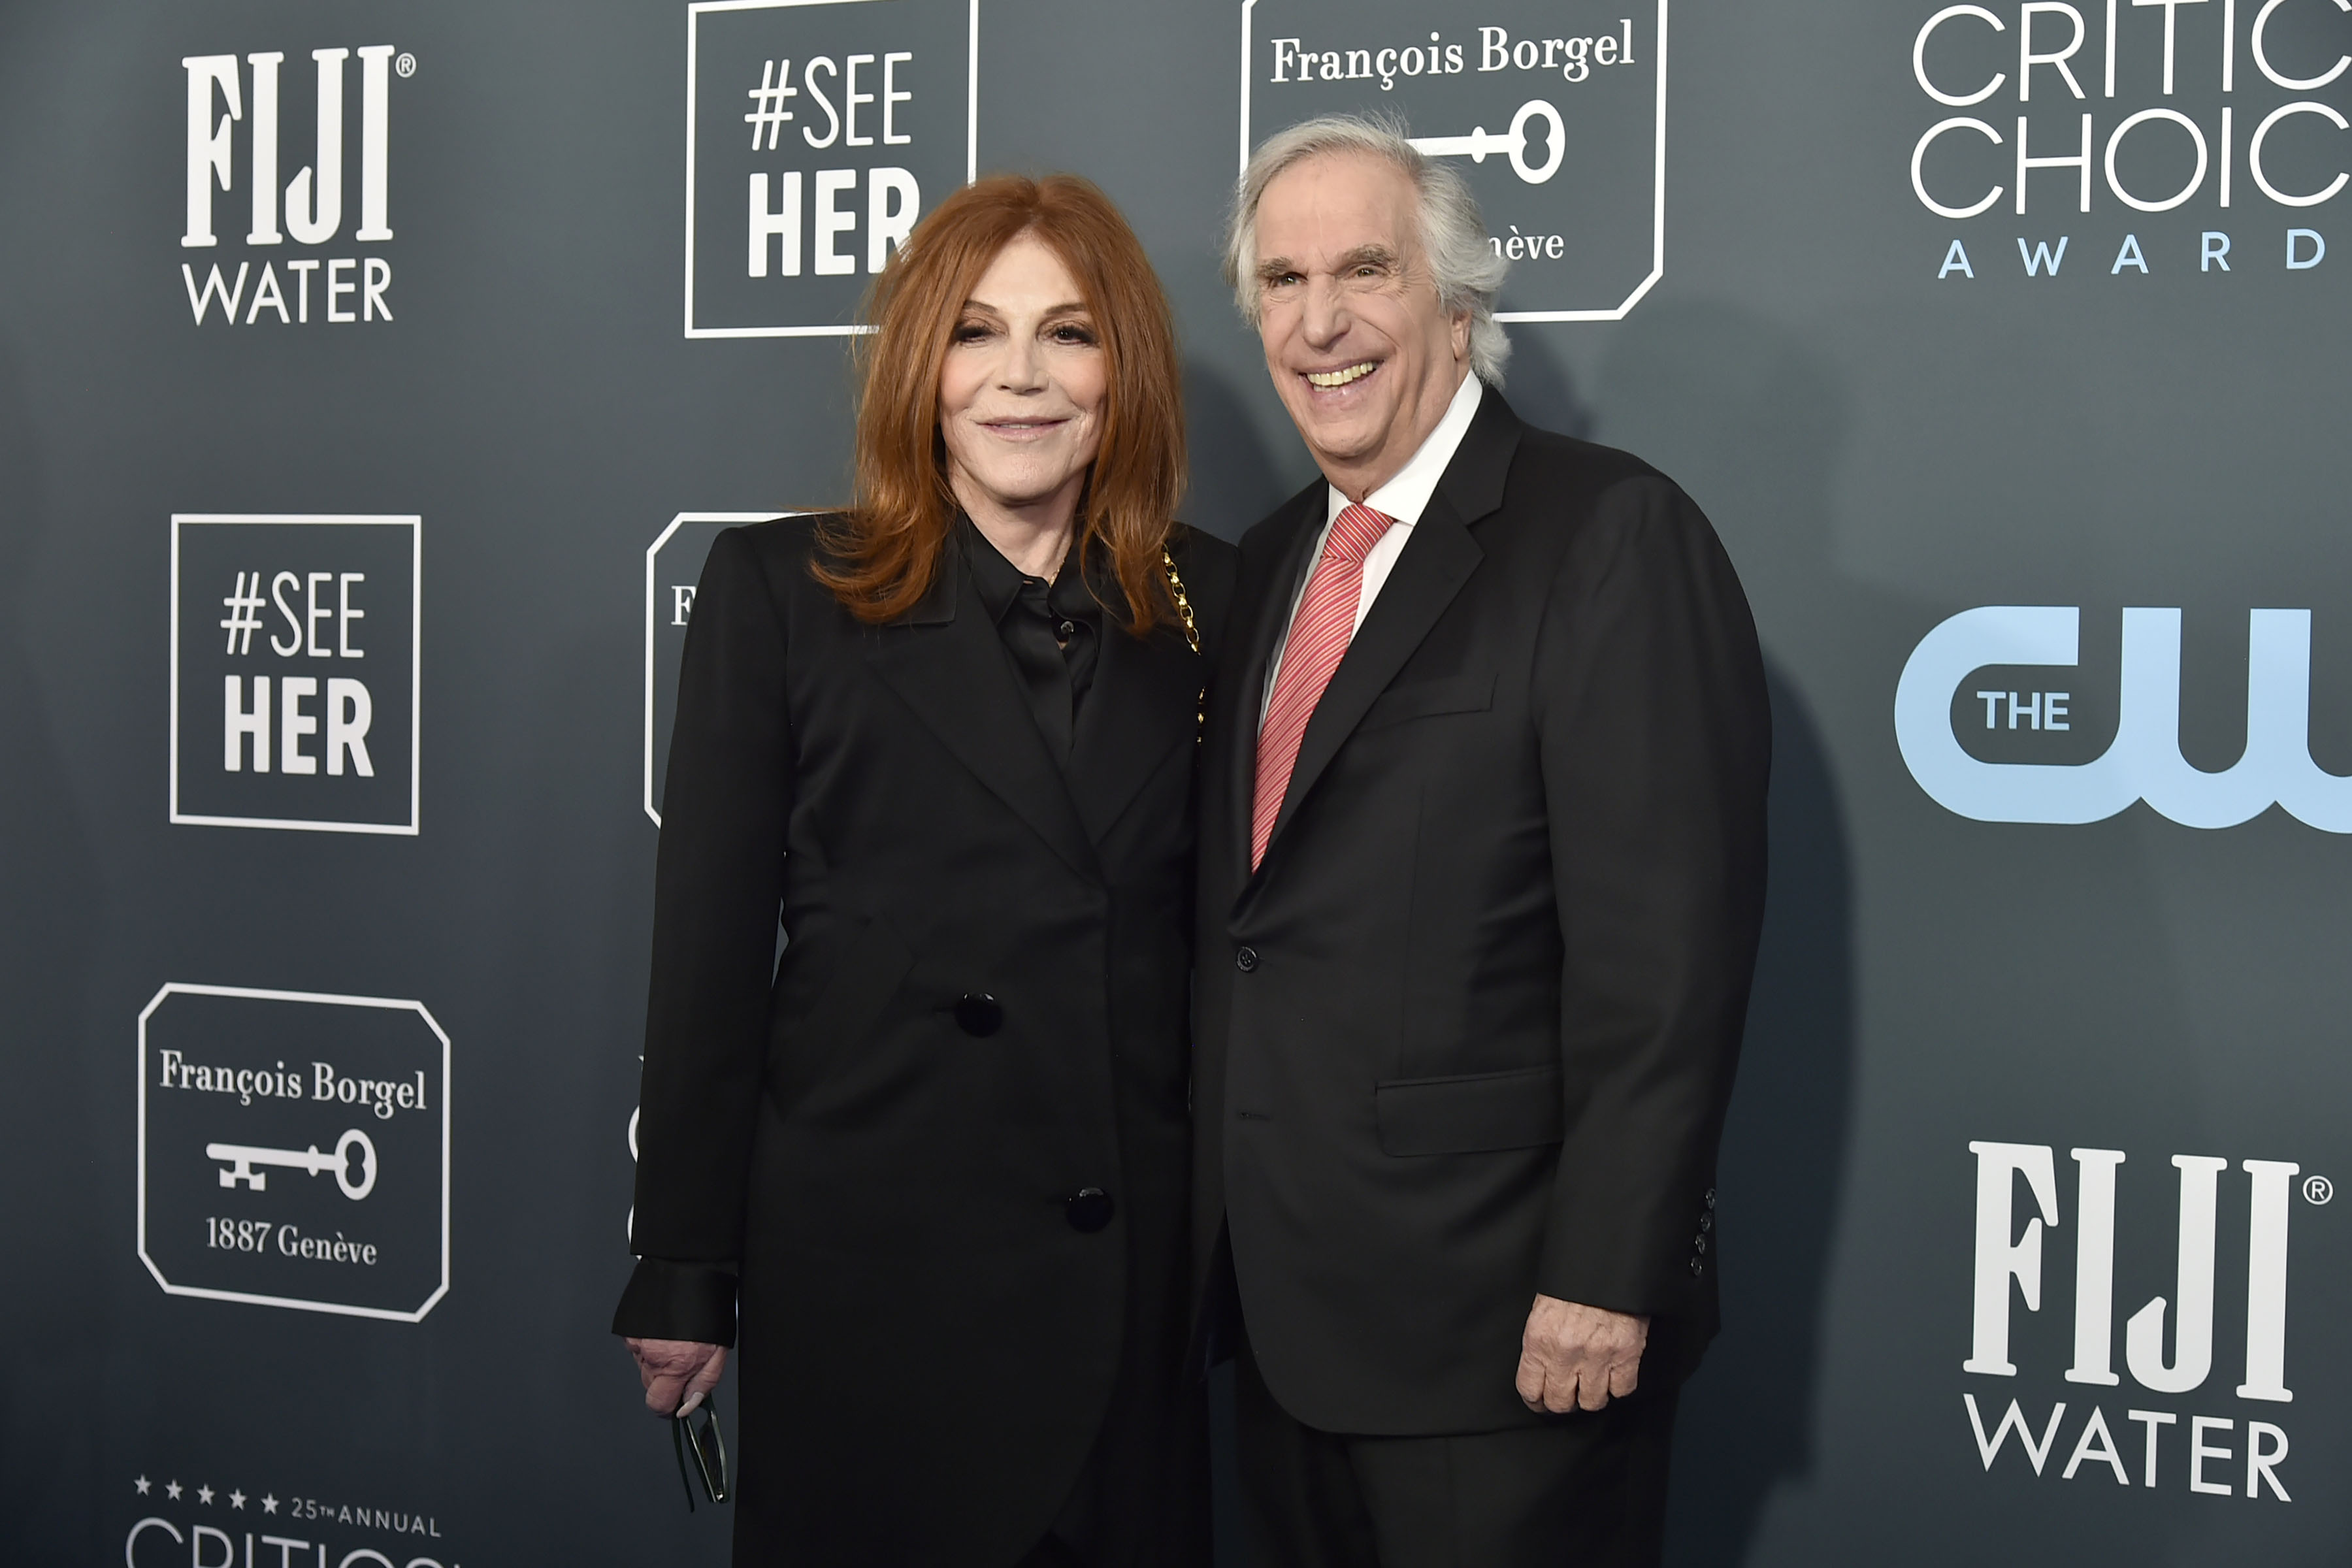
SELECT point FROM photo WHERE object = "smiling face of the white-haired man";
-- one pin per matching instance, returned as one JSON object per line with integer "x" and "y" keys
{"x": 1358, "y": 347}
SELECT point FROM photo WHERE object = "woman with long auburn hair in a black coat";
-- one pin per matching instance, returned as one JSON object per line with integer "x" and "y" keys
{"x": 935, "y": 1162}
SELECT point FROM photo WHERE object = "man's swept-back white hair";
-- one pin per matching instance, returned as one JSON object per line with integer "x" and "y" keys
{"x": 1464, "y": 262}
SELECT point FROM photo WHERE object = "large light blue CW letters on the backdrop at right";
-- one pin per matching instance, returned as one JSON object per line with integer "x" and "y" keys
{"x": 2144, "y": 763}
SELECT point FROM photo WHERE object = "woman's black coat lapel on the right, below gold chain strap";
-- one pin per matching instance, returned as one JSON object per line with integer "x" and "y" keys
{"x": 1144, "y": 704}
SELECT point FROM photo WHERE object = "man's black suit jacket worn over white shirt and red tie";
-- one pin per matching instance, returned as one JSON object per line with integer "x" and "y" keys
{"x": 1469, "y": 1033}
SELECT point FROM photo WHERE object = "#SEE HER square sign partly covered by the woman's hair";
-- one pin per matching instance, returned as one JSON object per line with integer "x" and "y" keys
{"x": 817, "y": 133}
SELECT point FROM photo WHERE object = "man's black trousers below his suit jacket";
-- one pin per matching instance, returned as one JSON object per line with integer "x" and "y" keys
{"x": 1577, "y": 1492}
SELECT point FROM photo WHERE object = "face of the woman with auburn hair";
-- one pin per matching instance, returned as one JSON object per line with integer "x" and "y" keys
{"x": 1024, "y": 384}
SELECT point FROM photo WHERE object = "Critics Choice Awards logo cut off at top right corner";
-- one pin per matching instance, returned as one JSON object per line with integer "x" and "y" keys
{"x": 2163, "y": 138}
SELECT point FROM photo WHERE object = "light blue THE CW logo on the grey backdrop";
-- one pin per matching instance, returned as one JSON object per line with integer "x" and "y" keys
{"x": 1998, "y": 725}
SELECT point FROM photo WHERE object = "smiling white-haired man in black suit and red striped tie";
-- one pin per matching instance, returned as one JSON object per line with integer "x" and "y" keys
{"x": 1483, "y": 866}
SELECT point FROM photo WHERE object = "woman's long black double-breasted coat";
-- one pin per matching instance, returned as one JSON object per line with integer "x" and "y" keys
{"x": 871, "y": 1148}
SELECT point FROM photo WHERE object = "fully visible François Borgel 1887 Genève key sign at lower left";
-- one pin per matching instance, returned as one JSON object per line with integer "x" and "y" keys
{"x": 295, "y": 1151}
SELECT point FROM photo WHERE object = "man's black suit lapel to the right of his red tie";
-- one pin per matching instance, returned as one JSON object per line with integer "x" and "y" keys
{"x": 1436, "y": 563}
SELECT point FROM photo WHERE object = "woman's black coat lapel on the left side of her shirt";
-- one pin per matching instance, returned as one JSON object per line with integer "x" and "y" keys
{"x": 947, "y": 662}
